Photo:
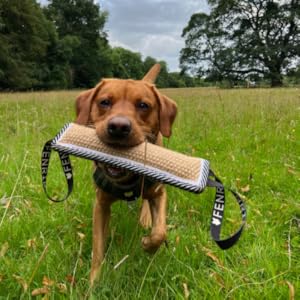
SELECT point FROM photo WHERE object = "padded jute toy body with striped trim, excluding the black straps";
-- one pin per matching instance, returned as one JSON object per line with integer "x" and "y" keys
{"x": 161, "y": 164}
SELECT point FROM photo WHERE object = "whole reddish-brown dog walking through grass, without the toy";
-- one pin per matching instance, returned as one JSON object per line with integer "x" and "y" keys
{"x": 126, "y": 113}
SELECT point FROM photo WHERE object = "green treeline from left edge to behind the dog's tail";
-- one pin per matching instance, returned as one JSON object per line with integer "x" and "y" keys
{"x": 64, "y": 45}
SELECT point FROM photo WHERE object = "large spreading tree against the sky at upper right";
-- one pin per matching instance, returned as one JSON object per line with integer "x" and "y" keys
{"x": 242, "y": 39}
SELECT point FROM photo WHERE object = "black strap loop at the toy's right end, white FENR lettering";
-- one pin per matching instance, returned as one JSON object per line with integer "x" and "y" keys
{"x": 218, "y": 213}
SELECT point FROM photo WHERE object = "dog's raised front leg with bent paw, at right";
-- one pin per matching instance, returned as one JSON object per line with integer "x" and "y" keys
{"x": 158, "y": 207}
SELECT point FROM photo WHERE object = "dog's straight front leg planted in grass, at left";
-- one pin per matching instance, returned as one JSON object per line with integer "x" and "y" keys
{"x": 101, "y": 216}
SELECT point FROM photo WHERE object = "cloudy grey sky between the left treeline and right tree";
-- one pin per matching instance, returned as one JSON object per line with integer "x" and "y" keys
{"x": 151, "y": 27}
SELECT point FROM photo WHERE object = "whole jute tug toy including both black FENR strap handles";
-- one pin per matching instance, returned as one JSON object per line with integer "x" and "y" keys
{"x": 155, "y": 162}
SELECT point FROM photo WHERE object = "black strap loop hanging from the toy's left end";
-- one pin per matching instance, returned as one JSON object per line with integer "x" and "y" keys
{"x": 66, "y": 165}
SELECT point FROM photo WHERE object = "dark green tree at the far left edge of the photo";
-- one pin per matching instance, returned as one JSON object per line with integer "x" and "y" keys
{"x": 24, "y": 39}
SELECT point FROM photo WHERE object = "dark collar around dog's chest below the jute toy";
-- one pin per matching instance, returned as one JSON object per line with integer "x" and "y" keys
{"x": 128, "y": 192}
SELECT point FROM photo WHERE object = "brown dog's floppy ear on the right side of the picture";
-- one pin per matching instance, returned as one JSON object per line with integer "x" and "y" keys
{"x": 167, "y": 113}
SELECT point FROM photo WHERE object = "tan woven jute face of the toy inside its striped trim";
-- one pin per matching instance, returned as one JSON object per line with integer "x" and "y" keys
{"x": 147, "y": 154}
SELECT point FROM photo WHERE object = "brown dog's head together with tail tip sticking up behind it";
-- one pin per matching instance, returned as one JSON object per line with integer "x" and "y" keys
{"x": 127, "y": 112}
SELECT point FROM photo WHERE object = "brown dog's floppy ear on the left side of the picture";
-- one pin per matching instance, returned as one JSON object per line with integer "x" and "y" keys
{"x": 84, "y": 104}
